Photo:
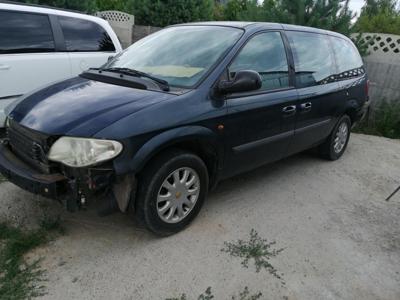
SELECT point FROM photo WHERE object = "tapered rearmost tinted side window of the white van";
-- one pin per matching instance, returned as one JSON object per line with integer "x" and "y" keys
{"x": 84, "y": 36}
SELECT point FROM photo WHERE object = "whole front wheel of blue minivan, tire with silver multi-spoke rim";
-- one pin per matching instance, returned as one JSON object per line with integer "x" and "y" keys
{"x": 150, "y": 203}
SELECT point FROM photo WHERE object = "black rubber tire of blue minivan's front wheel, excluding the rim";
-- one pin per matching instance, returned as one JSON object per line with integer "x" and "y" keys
{"x": 155, "y": 180}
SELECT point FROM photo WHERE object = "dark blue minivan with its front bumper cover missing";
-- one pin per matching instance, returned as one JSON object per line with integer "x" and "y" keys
{"x": 153, "y": 130}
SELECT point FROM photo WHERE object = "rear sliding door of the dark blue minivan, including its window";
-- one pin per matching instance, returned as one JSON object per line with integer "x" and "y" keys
{"x": 318, "y": 91}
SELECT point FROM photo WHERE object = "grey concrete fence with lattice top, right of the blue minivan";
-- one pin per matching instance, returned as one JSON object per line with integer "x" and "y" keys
{"x": 383, "y": 66}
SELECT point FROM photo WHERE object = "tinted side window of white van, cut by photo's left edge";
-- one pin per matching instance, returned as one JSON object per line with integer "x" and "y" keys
{"x": 25, "y": 33}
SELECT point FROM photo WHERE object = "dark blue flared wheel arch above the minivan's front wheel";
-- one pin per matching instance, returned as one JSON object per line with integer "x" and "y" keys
{"x": 169, "y": 138}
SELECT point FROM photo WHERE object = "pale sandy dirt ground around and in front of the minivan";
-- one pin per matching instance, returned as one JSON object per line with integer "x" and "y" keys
{"x": 341, "y": 239}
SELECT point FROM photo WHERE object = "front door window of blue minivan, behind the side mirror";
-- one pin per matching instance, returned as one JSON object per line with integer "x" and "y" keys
{"x": 264, "y": 53}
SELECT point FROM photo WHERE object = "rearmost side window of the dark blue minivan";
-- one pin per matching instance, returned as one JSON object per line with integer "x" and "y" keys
{"x": 349, "y": 62}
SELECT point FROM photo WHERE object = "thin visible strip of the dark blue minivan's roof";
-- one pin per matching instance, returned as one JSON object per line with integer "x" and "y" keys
{"x": 263, "y": 26}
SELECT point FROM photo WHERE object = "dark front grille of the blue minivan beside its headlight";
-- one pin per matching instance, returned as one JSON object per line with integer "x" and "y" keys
{"x": 31, "y": 146}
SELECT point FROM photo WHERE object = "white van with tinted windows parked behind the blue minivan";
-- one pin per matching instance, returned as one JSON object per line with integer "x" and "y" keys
{"x": 40, "y": 45}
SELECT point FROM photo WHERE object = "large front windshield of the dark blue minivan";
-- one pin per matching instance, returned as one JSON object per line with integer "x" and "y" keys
{"x": 179, "y": 55}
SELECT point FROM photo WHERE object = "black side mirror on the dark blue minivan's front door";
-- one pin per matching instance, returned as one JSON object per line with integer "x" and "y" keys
{"x": 244, "y": 81}
